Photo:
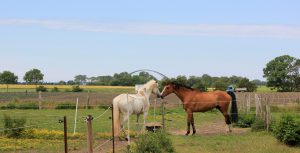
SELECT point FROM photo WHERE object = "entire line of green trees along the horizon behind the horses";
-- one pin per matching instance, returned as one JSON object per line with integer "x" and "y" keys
{"x": 281, "y": 73}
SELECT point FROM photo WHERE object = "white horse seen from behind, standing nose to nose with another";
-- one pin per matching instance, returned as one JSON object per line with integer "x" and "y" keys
{"x": 137, "y": 104}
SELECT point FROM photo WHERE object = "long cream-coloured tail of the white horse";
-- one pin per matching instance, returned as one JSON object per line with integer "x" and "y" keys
{"x": 116, "y": 118}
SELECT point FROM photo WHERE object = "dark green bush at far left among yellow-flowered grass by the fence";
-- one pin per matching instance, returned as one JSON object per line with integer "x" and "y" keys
{"x": 13, "y": 126}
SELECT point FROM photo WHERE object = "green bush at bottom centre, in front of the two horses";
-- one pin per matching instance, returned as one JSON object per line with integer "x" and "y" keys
{"x": 154, "y": 142}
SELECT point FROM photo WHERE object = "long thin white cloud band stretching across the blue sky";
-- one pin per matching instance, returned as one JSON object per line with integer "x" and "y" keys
{"x": 227, "y": 30}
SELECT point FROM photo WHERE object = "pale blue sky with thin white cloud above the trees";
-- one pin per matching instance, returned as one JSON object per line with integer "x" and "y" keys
{"x": 219, "y": 38}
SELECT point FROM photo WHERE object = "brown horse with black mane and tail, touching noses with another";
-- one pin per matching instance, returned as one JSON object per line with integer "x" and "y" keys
{"x": 196, "y": 101}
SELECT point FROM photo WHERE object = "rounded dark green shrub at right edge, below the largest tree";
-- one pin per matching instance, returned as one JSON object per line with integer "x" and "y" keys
{"x": 287, "y": 130}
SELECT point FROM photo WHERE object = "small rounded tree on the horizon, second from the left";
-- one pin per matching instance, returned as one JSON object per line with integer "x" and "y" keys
{"x": 33, "y": 76}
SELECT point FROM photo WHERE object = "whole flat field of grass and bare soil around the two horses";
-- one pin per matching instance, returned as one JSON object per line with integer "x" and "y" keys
{"x": 210, "y": 137}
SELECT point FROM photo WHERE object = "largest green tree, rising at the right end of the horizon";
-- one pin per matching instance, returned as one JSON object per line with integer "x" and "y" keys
{"x": 282, "y": 73}
